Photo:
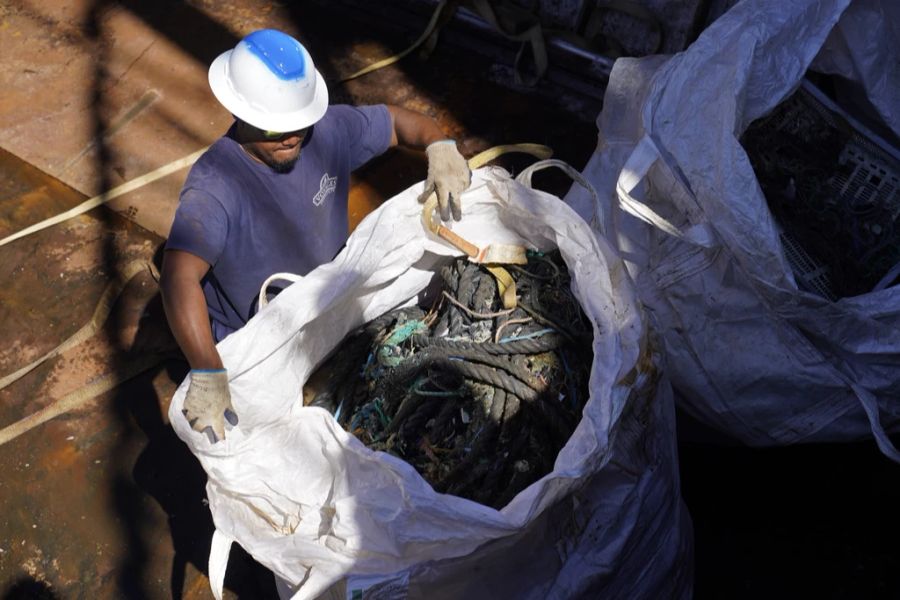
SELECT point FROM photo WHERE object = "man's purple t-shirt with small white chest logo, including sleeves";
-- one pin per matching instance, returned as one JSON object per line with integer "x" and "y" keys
{"x": 249, "y": 222}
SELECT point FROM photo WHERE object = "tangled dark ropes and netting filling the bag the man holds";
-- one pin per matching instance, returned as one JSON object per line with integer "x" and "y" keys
{"x": 478, "y": 399}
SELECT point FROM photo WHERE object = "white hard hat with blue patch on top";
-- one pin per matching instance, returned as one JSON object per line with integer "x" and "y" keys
{"x": 270, "y": 82}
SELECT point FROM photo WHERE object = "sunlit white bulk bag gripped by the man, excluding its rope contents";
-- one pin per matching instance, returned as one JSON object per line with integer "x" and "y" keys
{"x": 313, "y": 504}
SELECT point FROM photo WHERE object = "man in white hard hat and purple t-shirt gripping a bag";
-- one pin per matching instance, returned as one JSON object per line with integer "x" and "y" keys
{"x": 271, "y": 196}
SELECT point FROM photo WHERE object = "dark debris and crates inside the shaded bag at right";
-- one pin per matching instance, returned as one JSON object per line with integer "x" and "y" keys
{"x": 834, "y": 192}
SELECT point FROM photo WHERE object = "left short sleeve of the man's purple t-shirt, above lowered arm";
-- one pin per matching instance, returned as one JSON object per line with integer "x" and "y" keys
{"x": 200, "y": 226}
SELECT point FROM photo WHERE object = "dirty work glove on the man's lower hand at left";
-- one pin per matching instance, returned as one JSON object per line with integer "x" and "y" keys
{"x": 208, "y": 403}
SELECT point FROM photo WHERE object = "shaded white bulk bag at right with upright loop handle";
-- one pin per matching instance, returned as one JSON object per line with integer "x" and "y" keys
{"x": 750, "y": 353}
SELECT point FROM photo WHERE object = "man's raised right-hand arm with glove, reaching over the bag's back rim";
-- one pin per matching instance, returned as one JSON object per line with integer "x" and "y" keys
{"x": 448, "y": 172}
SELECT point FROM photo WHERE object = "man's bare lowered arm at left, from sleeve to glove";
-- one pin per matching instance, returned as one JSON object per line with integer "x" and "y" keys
{"x": 185, "y": 307}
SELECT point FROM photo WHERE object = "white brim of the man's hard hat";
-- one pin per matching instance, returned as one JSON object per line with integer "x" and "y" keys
{"x": 267, "y": 121}
